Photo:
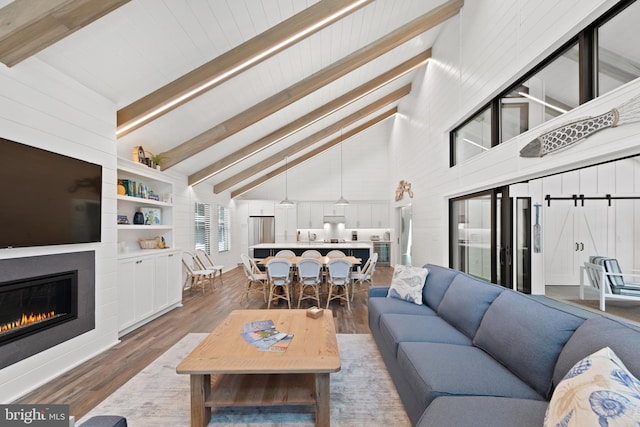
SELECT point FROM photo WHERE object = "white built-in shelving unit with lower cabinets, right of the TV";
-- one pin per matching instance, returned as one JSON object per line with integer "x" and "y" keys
{"x": 150, "y": 280}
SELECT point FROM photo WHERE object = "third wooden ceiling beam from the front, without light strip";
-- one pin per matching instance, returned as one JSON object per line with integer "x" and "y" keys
{"x": 303, "y": 88}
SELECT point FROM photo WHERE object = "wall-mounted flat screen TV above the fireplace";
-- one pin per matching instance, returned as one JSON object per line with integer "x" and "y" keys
{"x": 47, "y": 198}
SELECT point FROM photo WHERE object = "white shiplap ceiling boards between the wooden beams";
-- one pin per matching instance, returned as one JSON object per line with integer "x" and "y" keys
{"x": 147, "y": 44}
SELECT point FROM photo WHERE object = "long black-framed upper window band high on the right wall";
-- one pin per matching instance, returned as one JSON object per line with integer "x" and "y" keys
{"x": 603, "y": 56}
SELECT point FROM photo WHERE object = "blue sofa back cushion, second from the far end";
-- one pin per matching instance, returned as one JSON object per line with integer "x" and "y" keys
{"x": 466, "y": 301}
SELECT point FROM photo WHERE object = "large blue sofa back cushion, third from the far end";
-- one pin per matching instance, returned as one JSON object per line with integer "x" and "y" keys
{"x": 526, "y": 337}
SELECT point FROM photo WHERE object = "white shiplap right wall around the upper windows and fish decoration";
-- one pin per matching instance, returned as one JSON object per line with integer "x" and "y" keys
{"x": 476, "y": 55}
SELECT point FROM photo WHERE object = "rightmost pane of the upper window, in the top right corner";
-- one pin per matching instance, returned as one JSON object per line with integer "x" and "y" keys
{"x": 619, "y": 49}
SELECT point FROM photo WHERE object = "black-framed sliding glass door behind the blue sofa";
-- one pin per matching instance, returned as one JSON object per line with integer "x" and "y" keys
{"x": 480, "y": 235}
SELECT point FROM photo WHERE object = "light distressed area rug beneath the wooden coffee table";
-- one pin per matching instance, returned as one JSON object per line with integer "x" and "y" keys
{"x": 362, "y": 393}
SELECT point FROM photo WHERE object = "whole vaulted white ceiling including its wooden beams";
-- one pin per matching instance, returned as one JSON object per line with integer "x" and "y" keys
{"x": 225, "y": 90}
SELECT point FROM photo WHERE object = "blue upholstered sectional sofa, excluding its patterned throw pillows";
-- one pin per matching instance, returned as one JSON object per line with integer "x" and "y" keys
{"x": 477, "y": 354}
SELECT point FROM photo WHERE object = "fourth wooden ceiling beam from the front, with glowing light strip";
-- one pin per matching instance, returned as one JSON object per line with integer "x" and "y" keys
{"x": 310, "y": 118}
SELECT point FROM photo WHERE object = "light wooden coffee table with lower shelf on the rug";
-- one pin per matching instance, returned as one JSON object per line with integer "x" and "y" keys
{"x": 227, "y": 371}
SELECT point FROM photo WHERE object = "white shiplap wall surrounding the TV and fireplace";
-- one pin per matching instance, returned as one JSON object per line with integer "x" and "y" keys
{"x": 42, "y": 108}
